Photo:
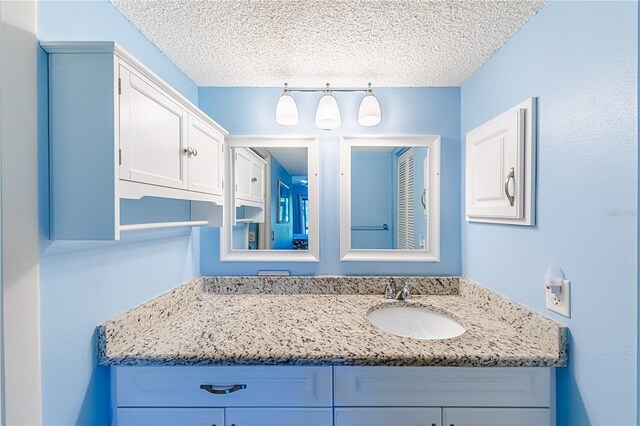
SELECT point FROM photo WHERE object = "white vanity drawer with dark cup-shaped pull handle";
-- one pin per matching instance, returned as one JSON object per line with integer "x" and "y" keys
{"x": 203, "y": 386}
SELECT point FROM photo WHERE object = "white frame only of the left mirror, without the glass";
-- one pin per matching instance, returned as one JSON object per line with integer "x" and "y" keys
{"x": 227, "y": 254}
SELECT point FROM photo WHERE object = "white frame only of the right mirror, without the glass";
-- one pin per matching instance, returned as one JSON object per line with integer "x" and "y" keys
{"x": 347, "y": 254}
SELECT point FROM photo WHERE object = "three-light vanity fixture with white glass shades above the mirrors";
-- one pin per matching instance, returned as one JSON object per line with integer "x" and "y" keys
{"x": 328, "y": 112}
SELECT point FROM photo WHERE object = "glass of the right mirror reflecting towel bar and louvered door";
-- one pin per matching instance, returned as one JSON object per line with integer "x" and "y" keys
{"x": 388, "y": 197}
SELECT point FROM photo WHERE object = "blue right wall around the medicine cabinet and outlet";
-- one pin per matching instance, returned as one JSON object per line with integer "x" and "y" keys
{"x": 580, "y": 59}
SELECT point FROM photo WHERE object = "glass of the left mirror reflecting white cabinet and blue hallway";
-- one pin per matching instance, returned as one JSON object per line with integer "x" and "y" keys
{"x": 271, "y": 198}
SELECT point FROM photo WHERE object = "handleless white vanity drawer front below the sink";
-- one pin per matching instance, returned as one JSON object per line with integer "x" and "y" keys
{"x": 442, "y": 386}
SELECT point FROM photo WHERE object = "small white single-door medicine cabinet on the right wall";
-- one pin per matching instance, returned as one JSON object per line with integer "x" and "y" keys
{"x": 500, "y": 168}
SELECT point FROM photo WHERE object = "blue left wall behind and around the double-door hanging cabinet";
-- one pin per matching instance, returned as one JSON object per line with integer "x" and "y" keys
{"x": 84, "y": 284}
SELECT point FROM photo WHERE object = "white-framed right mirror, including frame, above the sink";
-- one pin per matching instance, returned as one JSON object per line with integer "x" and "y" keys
{"x": 390, "y": 198}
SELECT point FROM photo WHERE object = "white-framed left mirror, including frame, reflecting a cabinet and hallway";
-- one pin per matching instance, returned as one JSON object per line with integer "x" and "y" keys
{"x": 273, "y": 200}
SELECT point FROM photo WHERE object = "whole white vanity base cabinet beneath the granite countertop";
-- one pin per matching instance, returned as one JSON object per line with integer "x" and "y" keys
{"x": 340, "y": 396}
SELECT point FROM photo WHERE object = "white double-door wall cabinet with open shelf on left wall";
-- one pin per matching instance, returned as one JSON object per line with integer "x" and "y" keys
{"x": 118, "y": 131}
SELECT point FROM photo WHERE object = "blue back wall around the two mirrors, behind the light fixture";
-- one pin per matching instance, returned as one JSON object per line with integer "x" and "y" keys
{"x": 404, "y": 111}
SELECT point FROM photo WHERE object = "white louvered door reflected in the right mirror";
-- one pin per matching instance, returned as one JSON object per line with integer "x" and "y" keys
{"x": 405, "y": 220}
